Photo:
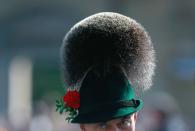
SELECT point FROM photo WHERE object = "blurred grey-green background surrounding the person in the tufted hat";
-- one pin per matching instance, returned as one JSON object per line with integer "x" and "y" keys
{"x": 31, "y": 33}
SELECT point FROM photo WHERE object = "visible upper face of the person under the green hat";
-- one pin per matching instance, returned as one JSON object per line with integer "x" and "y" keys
{"x": 125, "y": 123}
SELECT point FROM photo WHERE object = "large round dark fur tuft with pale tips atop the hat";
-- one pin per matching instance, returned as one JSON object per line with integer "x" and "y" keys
{"x": 108, "y": 39}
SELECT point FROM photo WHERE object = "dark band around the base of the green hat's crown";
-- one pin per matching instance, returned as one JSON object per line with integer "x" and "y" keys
{"x": 101, "y": 107}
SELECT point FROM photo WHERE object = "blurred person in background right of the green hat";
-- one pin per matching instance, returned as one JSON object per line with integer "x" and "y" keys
{"x": 165, "y": 116}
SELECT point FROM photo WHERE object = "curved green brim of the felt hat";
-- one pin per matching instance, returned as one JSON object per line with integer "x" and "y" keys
{"x": 107, "y": 115}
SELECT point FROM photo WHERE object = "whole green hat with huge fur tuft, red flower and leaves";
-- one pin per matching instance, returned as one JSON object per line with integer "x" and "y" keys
{"x": 105, "y": 57}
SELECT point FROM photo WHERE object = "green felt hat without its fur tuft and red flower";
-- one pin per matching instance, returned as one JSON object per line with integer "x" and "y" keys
{"x": 106, "y": 96}
